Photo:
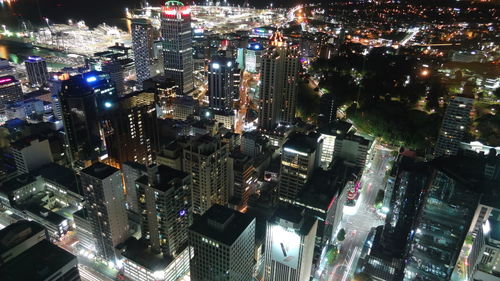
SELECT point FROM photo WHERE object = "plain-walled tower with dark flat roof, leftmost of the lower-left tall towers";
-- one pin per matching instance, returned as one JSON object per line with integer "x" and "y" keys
{"x": 103, "y": 191}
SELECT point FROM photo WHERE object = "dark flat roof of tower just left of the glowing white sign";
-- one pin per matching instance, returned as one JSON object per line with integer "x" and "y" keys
{"x": 222, "y": 224}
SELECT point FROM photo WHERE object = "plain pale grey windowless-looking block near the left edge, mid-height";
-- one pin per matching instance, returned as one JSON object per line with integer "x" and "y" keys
{"x": 30, "y": 154}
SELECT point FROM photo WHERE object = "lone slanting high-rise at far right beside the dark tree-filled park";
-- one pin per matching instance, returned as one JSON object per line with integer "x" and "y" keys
{"x": 455, "y": 123}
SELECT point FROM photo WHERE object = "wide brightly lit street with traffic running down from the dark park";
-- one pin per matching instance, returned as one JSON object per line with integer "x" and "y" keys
{"x": 358, "y": 224}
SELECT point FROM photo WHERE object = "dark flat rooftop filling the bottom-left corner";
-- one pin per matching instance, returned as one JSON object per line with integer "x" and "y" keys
{"x": 37, "y": 263}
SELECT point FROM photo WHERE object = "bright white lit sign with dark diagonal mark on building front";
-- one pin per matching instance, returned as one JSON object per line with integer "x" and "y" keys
{"x": 285, "y": 246}
